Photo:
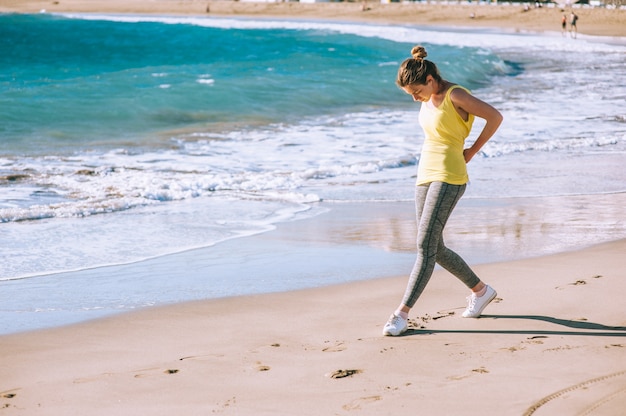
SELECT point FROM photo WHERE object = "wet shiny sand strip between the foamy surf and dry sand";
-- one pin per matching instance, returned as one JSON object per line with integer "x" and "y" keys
{"x": 354, "y": 242}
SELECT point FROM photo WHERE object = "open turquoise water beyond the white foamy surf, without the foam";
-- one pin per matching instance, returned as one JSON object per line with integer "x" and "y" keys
{"x": 103, "y": 84}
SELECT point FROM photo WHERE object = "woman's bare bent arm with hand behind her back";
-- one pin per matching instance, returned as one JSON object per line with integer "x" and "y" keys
{"x": 467, "y": 103}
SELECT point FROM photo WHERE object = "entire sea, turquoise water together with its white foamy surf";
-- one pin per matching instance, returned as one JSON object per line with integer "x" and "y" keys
{"x": 128, "y": 138}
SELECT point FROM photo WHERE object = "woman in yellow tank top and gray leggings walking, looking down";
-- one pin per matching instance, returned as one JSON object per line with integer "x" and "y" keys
{"x": 446, "y": 115}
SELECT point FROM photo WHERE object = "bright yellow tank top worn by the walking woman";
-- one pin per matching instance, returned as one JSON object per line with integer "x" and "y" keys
{"x": 445, "y": 132}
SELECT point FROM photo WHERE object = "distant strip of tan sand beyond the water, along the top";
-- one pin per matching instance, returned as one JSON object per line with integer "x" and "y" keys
{"x": 507, "y": 17}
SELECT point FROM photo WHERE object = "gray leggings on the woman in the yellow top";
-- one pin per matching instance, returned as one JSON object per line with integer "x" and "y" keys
{"x": 434, "y": 203}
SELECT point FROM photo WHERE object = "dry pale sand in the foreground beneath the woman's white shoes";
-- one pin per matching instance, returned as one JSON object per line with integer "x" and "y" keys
{"x": 549, "y": 330}
